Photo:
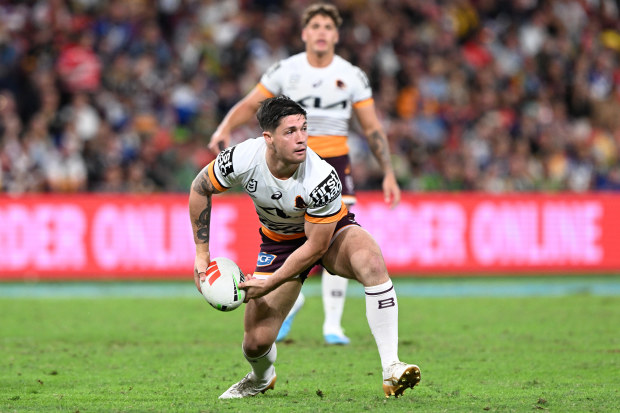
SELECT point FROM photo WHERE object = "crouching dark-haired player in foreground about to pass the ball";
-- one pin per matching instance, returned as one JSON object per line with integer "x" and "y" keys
{"x": 297, "y": 197}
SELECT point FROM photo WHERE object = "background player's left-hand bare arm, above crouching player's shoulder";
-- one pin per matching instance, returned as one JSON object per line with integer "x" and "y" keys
{"x": 237, "y": 116}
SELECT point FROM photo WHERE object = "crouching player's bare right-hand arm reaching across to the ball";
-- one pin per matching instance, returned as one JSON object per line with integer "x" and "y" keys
{"x": 316, "y": 245}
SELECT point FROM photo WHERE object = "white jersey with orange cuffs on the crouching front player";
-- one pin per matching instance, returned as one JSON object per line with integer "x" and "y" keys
{"x": 282, "y": 205}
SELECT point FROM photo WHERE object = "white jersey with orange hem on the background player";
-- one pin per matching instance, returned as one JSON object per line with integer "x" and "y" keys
{"x": 328, "y": 94}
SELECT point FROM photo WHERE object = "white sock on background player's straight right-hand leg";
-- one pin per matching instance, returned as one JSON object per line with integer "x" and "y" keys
{"x": 334, "y": 294}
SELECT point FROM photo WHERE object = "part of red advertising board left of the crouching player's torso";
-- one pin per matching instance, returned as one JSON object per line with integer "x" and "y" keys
{"x": 115, "y": 236}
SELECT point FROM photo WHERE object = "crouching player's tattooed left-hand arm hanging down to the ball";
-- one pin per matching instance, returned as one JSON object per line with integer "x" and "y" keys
{"x": 200, "y": 196}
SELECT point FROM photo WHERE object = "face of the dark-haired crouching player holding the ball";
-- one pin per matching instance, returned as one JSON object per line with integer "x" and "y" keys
{"x": 290, "y": 139}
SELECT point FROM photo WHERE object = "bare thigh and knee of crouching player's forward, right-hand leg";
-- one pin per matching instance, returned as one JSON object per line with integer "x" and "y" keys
{"x": 355, "y": 254}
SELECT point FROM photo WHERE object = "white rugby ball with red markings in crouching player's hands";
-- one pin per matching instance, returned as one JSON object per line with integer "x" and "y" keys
{"x": 221, "y": 286}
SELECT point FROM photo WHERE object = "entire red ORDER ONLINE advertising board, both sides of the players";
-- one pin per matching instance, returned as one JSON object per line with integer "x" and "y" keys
{"x": 115, "y": 236}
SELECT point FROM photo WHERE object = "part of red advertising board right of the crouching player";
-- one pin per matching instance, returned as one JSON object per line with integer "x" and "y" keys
{"x": 481, "y": 233}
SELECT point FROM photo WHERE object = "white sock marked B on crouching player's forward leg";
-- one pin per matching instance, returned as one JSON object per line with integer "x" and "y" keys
{"x": 382, "y": 315}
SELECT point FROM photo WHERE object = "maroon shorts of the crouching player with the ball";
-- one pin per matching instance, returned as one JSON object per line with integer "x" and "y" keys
{"x": 273, "y": 253}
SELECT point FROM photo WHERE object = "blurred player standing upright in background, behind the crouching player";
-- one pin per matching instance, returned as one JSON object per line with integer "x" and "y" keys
{"x": 330, "y": 89}
